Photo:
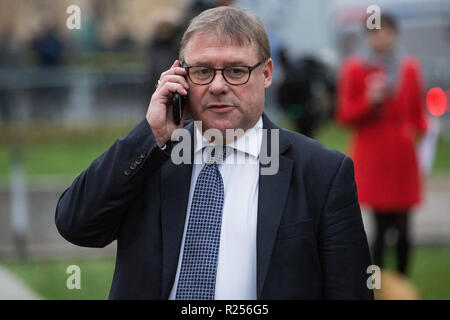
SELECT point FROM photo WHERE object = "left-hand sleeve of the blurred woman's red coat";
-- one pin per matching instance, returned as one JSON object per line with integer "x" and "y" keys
{"x": 353, "y": 106}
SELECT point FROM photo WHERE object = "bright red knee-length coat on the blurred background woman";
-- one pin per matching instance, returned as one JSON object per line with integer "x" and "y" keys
{"x": 382, "y": 148}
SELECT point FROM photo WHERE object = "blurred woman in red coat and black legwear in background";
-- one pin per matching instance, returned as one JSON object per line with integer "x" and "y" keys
{"x": 380, "y": 97}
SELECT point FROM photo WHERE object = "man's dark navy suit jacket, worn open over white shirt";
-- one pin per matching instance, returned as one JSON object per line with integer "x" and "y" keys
{"x": 311, "y": 242}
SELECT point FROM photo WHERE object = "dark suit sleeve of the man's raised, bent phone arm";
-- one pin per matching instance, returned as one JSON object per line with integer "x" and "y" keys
{"x": 90, "y": 211}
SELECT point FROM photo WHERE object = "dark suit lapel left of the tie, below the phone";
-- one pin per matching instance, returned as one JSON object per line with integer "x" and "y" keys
{"x": 175, "y": 185}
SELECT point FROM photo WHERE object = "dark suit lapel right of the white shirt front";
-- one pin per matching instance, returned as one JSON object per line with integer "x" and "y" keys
{"x": 273, "y": 190}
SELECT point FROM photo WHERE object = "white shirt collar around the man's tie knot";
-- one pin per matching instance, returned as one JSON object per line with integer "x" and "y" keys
{"x": 249, "y": 143}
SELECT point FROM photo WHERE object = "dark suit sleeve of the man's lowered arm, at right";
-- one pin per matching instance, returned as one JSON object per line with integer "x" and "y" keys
{"x": 343, "y": 244}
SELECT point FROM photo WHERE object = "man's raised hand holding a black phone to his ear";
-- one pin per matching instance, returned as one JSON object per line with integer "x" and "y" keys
{"x": 160, "y": 113}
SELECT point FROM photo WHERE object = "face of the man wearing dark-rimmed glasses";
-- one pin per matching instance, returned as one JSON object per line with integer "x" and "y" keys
{"x": 220, "y": 105}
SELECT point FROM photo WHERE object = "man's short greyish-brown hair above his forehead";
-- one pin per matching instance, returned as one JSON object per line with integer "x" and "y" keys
{"x": 231, "y": 25}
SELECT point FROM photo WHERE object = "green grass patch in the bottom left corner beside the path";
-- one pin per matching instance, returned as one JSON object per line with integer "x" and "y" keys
{"x": 48, "y": 278}
